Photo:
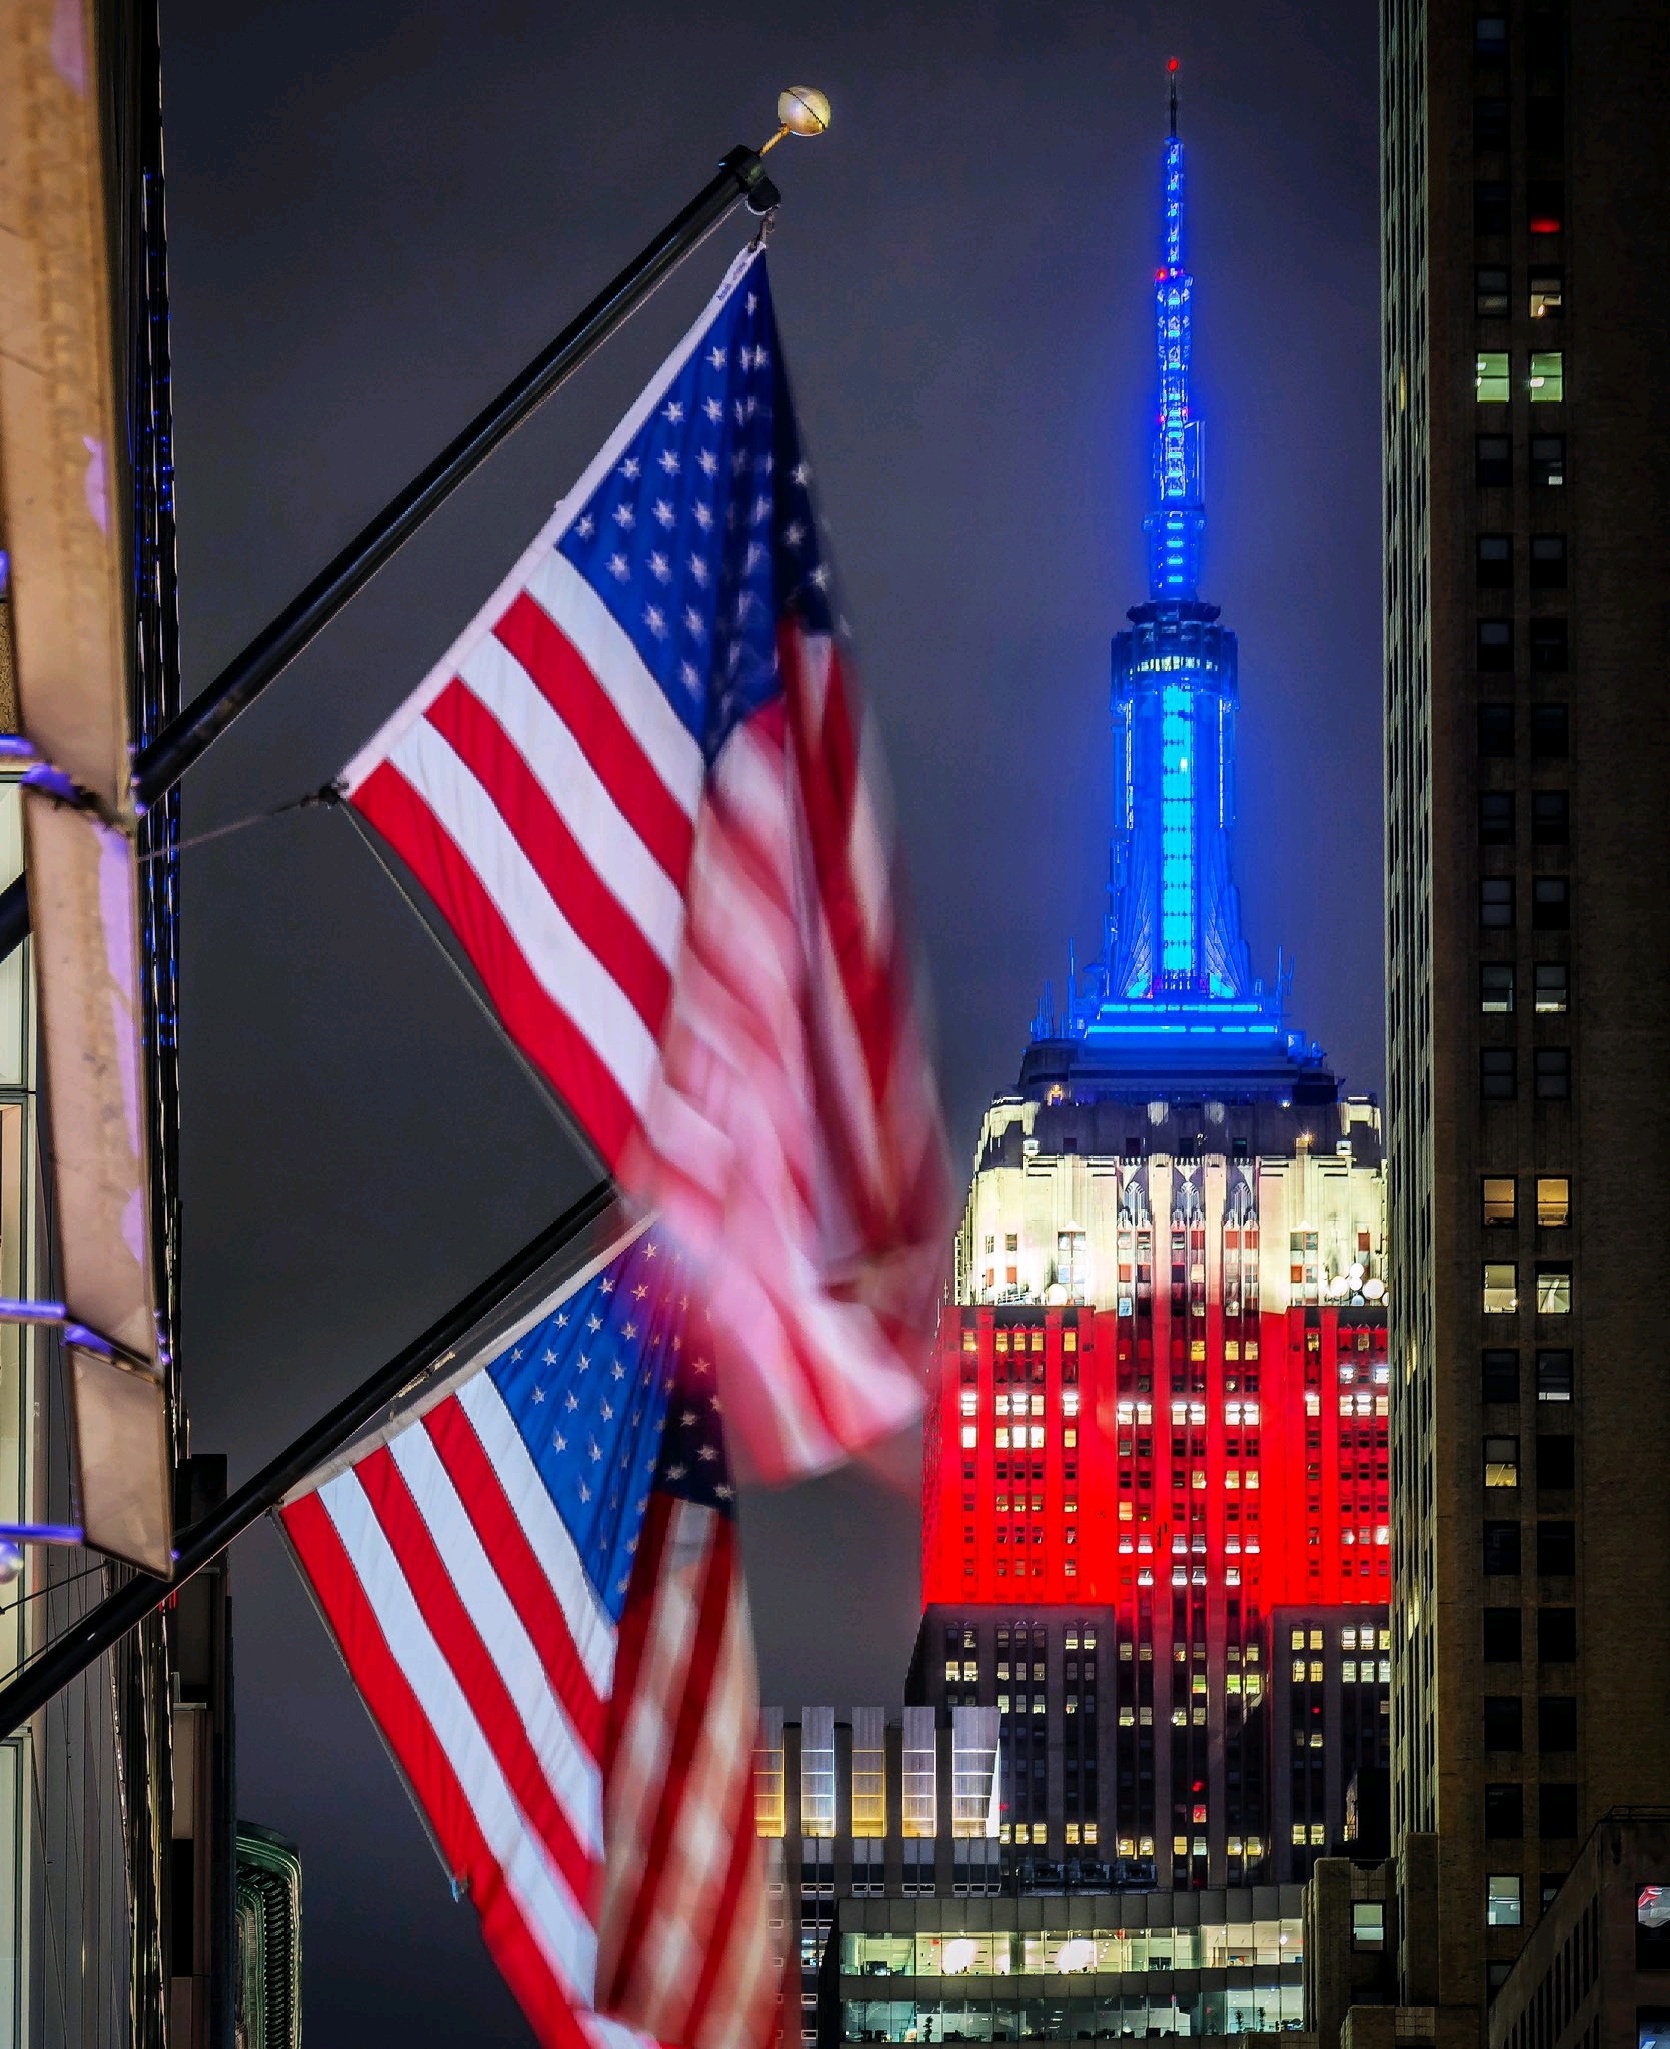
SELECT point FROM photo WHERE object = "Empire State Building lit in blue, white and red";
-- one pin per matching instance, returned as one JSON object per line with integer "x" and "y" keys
{"x": 1157, "y": 1532}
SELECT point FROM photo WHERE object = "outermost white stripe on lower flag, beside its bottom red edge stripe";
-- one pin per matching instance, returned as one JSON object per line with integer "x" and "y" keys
{"x": 554, "y": 1919}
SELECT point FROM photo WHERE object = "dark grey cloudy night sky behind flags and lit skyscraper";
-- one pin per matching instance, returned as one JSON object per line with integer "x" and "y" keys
{"x": 378, "y": 214}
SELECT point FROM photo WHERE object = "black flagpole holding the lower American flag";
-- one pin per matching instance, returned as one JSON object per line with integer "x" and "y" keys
{"x": 77, "y": 1648}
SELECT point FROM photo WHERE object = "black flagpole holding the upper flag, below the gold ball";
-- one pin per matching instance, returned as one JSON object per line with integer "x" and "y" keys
{"x": 161, "y": 765}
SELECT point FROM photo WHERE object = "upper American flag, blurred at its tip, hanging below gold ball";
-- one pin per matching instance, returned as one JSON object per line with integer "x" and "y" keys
{"x": 642, "y": 798}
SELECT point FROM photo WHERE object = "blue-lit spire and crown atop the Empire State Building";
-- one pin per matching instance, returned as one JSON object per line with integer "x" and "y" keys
{"x": 1173, "y": 999}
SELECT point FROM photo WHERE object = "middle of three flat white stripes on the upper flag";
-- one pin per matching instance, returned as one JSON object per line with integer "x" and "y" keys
{"x": 626, "y": 866}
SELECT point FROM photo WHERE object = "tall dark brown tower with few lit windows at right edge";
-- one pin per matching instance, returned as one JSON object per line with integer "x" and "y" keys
{"x": 1528, "y": 780}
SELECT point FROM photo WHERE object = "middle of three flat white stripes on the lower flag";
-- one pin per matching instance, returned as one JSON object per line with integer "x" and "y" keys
{"x": 562, "y": 1757}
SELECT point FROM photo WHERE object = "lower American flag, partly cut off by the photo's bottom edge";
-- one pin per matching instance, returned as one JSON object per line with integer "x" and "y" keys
{"x": 534, "y": 1581}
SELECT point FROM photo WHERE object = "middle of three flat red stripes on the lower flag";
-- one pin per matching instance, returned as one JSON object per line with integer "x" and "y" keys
{"x": 472, "y": 1667}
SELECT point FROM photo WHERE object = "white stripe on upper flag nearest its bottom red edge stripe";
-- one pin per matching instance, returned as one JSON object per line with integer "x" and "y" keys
{"x": 571, "y": 974}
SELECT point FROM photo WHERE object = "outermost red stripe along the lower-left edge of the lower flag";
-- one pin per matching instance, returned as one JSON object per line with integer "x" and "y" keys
{"x": 435, "y": 1788}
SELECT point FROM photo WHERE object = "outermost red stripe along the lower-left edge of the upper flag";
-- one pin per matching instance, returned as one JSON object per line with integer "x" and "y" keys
{"x": 538, "y": 1026}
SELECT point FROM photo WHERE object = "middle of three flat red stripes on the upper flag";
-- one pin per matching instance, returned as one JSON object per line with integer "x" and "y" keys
{"x": 601, "y": 923}
